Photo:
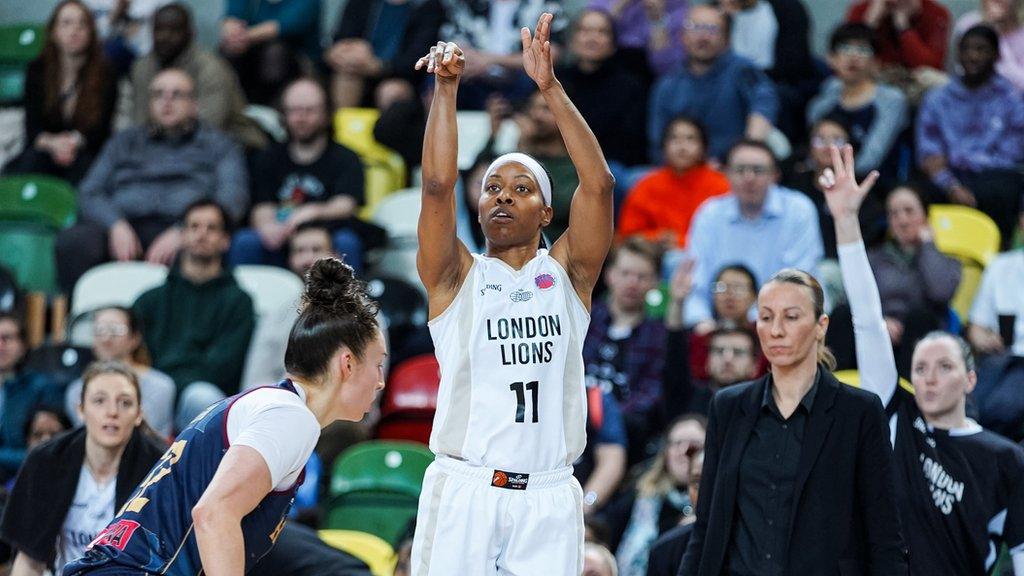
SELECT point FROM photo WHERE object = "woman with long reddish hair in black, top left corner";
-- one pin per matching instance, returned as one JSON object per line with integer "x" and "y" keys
{"x": 70, "y": 98}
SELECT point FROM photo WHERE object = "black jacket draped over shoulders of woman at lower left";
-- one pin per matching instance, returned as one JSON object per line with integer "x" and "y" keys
{"x": 46, "y": 488}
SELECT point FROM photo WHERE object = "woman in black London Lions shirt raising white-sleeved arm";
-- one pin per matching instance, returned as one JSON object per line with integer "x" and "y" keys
{"x": 959, "y": 486}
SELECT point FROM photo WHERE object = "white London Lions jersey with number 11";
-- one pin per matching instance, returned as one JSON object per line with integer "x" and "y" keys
{"x": 510, "y": 350}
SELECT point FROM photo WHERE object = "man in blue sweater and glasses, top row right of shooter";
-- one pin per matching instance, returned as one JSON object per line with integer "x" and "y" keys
{"x": 731, "y": 96}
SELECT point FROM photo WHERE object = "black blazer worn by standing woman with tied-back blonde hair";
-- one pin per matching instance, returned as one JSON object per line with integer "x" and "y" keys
{"x": 844, "y": 518}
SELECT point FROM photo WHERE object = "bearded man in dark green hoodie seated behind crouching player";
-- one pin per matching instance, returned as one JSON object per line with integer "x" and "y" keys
{"x": 199, "y": 323}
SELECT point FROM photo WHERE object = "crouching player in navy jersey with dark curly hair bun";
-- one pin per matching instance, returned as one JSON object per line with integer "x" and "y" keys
{"x": 217, "y": 502}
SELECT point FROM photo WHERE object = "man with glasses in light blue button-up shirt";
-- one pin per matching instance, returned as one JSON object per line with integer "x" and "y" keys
{"x": 759, "y": 225}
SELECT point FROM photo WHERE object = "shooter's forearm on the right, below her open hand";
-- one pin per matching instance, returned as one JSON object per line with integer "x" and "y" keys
{"x": 580, "y": 142}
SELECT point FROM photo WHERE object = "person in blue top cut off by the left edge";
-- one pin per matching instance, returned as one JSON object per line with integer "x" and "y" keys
{"x": 21, "y": 391}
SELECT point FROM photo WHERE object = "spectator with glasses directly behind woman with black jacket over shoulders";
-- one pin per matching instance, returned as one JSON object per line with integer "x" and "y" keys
{"x": 117, "y": 338}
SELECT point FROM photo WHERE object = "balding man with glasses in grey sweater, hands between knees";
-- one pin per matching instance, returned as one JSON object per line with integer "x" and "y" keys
{"x": 133, "y": 200}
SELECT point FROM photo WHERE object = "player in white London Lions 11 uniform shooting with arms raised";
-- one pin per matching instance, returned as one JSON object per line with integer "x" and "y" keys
{"x": 508, "y": 330}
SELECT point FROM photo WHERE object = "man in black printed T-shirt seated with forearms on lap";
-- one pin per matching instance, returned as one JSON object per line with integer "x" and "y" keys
{"x": 310, "y": 178}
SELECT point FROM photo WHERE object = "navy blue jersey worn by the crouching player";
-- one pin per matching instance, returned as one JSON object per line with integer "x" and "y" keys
{"x": 153, "y": 532}
